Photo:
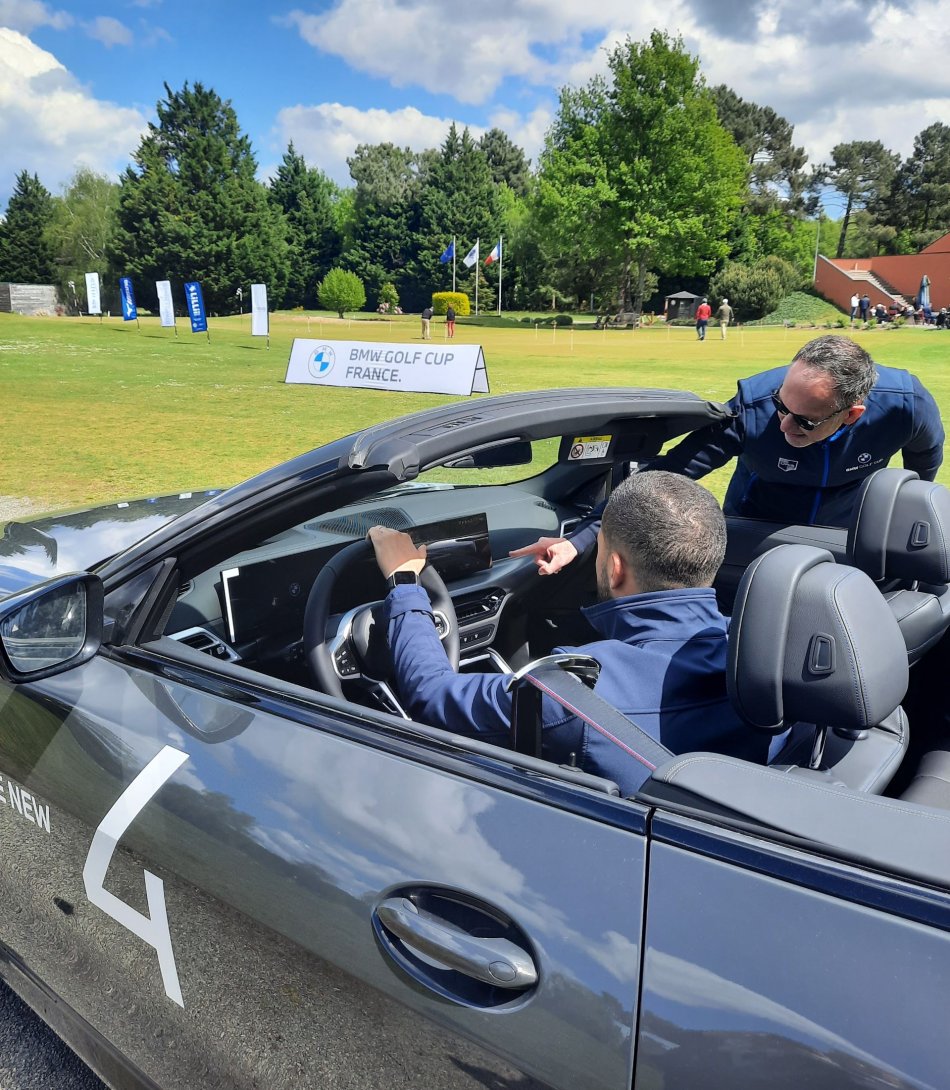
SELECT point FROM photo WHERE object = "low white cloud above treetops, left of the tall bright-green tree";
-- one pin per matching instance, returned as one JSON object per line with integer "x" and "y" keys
{"x": 328, "y": 134}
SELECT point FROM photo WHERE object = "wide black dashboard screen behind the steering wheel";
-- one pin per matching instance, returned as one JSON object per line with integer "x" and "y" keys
{"x": 270, "y": 597}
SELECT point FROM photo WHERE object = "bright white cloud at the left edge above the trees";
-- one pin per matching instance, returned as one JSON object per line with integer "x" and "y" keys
{"x": 51, "y": 125}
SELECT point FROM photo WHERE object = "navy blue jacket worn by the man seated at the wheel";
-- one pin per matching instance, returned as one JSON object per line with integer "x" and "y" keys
{"x": 663, "y": 665}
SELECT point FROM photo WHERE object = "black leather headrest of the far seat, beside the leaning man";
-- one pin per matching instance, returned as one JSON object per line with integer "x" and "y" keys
{"x": 902, "y": 529}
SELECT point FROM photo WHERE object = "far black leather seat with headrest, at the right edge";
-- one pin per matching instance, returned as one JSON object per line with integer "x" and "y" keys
{"x": 900, "y": 537}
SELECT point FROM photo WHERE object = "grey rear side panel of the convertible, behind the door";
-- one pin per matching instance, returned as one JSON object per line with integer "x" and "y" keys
{"x": 768, "y": 964}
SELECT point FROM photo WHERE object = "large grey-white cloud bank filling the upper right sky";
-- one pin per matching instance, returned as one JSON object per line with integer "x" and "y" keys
{"x": 871, "y": 71}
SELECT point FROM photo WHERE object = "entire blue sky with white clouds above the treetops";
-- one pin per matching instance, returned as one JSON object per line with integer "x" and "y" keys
{"x": 80, "y": 79}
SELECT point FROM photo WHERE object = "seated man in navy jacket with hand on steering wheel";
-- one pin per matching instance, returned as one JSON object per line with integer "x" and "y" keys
{"x": 664, "y": 647}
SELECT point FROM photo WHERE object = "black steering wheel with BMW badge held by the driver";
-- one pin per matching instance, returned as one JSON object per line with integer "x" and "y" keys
{"x": 361, "y": 647}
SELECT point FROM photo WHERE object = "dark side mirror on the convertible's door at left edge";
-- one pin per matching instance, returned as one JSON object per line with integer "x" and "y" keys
{"x": 51, "y": 628}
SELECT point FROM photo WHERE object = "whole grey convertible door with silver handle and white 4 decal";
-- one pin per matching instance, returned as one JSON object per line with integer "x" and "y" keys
{"x": 216, "y": 880}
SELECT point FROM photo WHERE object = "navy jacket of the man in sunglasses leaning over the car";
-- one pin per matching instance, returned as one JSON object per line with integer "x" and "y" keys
{"x": 807, "y": 486}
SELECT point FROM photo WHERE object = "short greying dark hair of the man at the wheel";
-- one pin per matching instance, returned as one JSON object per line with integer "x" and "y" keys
{"x": 668, "y": 529}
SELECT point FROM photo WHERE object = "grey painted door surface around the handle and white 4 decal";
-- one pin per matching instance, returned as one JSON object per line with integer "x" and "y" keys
{"x": 276, "y": 842}
